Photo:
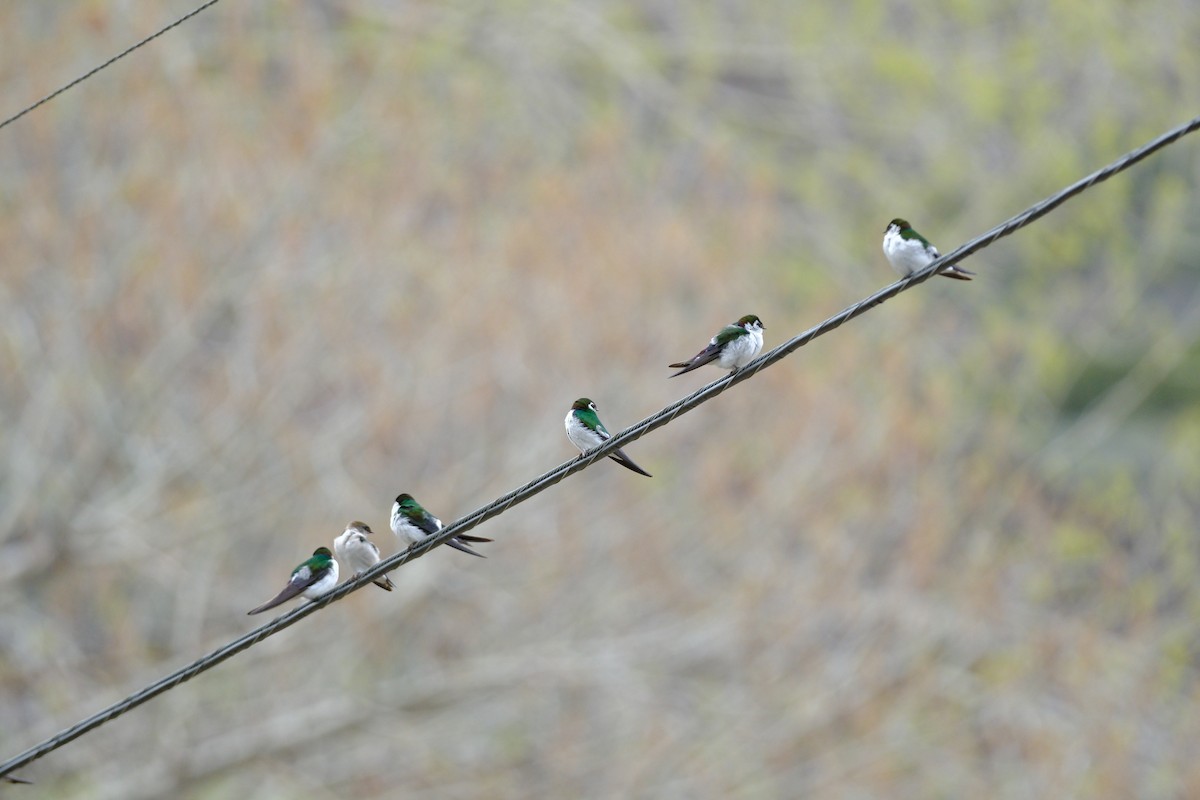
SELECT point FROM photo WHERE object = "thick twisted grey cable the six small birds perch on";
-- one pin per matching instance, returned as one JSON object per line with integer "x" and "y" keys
{"x": 583, "y": 462}
